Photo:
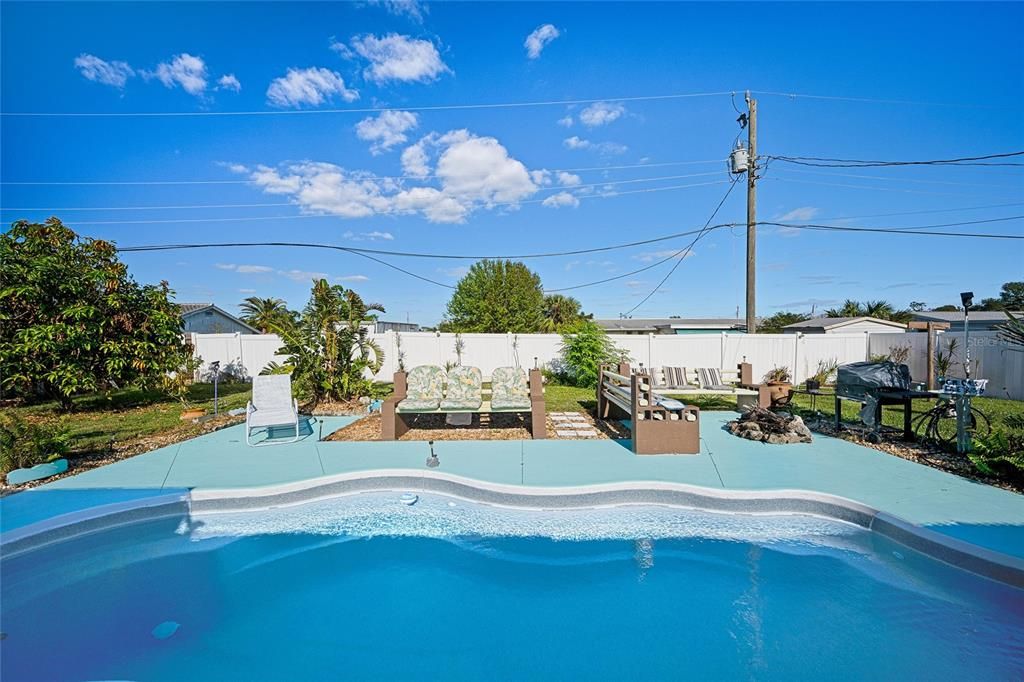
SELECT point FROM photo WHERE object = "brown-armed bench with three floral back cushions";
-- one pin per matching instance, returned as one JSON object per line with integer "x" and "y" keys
{"x": 429, "y": 390}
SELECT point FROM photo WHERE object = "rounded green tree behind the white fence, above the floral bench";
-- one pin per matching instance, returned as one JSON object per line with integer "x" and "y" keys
{"x": 497, "y": 296}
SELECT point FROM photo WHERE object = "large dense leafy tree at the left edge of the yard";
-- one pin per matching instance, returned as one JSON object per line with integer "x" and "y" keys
{"x": 72, "y": 320}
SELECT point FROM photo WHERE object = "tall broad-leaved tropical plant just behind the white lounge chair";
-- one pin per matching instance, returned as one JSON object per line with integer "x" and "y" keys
{"x": 329, "y": 350}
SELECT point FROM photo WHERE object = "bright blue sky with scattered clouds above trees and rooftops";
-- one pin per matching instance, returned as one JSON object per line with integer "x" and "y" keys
{"x": 507, "y": 181}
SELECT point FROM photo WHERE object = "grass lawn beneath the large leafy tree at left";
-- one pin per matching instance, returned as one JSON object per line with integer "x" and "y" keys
{"x": 101, "y": 421}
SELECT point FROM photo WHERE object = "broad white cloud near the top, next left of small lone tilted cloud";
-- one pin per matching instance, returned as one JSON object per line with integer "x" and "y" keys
{"x": 396, "y": 58}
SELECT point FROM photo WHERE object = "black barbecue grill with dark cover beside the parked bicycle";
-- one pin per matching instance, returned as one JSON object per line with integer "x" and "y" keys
{"x": 875, "y": 386}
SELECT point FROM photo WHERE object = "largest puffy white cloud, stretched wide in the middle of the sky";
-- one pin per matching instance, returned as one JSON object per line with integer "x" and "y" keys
{"x": 472, "y": 174}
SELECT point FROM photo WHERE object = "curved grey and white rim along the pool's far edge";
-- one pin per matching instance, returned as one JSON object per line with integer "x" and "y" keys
{"x": 996, "y": 566}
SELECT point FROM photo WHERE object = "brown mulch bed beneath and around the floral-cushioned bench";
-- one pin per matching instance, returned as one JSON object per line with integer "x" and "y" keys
{"x": 491, "y": 428}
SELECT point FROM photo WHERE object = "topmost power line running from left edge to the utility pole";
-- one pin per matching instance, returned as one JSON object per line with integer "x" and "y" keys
{"x": 366, "y": 110}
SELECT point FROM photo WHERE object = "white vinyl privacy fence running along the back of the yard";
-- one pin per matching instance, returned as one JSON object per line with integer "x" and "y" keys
{"x": 246, "y": 355}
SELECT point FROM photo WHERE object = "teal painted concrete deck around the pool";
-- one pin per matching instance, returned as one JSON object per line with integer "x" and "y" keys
{"x": 973, "y": 513}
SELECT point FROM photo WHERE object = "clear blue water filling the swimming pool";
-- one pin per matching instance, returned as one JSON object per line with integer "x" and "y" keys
{"x": 367, "y": 588}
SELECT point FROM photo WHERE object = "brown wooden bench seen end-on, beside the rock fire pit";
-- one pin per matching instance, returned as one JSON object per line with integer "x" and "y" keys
{"x": 656, "y": 430}
